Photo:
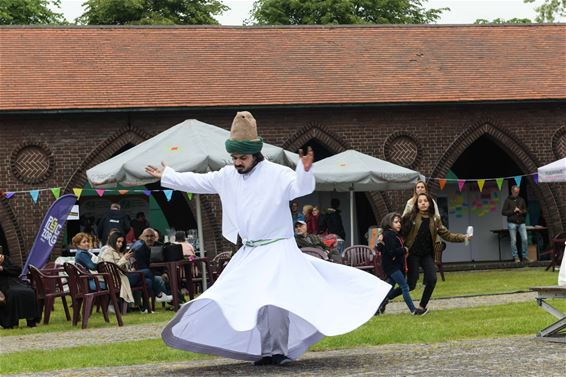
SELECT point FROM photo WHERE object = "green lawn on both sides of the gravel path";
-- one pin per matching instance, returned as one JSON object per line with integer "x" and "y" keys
{"x": 438, "y": 326}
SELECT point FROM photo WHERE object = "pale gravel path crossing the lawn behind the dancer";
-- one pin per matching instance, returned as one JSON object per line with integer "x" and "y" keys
{"x": 153, "y": 330}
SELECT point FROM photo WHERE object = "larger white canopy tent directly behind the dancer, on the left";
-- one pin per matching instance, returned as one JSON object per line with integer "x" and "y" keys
{"x": 189, "y": 146}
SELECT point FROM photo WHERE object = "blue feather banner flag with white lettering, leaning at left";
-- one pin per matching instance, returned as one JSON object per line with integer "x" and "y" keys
{"x": 49, "y": 231}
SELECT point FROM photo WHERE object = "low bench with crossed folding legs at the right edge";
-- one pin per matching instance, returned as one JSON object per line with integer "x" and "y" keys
{"x": 553, "y": 332}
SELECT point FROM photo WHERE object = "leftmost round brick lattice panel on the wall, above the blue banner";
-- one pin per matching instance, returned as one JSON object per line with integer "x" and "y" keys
{"x": 32, "y": 162}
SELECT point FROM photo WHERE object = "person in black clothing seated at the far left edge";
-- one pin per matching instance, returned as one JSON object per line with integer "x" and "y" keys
{"x": 20, "y": 301}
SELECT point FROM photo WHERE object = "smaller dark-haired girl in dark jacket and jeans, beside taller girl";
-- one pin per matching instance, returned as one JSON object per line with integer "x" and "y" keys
{"x": 393, "y": 253}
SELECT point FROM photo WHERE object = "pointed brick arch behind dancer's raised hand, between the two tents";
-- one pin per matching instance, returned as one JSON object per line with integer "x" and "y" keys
{"x": 334, "y": 144}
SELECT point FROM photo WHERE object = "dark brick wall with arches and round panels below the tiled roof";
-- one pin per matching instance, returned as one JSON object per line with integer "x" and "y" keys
{"x": 55, "y": 150}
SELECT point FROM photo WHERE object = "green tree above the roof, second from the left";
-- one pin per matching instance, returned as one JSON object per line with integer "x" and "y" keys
{"x": 151, "y": 12}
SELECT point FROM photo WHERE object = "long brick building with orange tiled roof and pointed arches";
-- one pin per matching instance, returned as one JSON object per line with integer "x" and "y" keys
{"x": 472, "y": 100}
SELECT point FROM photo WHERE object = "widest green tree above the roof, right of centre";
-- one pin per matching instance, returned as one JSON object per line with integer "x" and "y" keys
{"x": 324, "y": 12}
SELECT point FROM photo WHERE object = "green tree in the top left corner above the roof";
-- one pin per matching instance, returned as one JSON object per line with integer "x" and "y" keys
{"x": 30, "y": 12}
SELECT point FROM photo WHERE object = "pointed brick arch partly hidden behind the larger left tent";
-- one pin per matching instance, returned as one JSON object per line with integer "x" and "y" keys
{"x": 105, "y": 150}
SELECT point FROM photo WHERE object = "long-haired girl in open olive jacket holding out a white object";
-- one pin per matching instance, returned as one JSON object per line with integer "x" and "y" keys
{"x": 420, "y": 228}
